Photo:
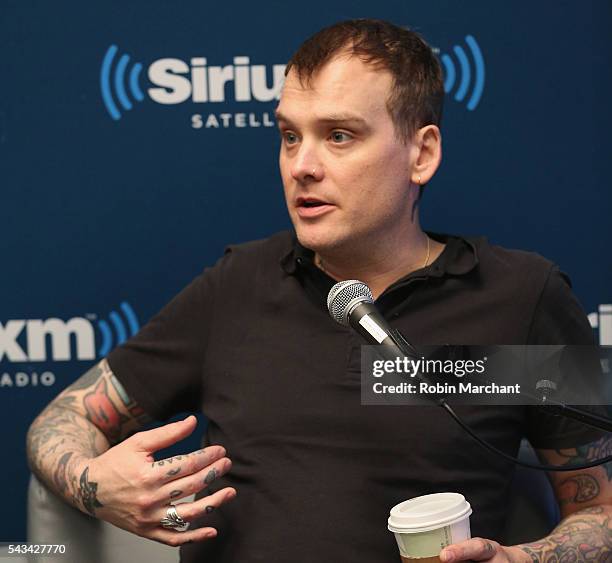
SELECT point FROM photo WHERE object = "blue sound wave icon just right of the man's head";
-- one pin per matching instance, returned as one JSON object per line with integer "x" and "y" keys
{"x": 477, "y": 81}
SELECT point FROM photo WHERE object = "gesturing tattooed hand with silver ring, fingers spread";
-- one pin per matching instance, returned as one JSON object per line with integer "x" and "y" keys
{"x": 128, "y": 488}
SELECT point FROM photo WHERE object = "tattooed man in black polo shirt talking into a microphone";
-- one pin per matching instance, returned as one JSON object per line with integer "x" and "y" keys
{"x": 250, "y": 343}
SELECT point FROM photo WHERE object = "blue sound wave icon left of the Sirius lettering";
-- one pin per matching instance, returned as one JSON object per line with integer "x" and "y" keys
{"x": 113, "y": 79}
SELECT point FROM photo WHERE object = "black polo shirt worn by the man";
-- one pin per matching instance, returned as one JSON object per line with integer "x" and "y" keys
{"x": 250, "y": 343}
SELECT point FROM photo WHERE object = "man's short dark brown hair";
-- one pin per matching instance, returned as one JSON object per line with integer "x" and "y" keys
{"x": 417, "y": 92}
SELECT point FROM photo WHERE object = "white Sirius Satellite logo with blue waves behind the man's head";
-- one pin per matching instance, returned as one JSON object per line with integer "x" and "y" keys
{"x": 175, "y": 81}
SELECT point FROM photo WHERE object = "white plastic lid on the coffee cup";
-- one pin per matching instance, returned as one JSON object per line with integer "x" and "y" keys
{"x": 422, "y": 514}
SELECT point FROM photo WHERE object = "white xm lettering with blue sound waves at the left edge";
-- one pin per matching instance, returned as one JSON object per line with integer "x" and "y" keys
{"x": 37, "y": 340}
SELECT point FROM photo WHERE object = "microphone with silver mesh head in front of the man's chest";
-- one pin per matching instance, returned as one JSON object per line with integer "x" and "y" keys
{"x": 351, "y": 303}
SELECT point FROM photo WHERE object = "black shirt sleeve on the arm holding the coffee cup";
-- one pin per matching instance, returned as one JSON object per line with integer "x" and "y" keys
{"x": 558, "y": 319}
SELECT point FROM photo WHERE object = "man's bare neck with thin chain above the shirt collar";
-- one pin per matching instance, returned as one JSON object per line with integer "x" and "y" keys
{"x": 380, "y": 267}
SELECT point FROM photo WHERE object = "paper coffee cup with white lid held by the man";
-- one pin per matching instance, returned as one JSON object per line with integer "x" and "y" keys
{"x": 423, "y": 526}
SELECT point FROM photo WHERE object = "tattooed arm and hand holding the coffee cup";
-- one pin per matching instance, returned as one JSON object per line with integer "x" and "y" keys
{"x": 584, "y": 534}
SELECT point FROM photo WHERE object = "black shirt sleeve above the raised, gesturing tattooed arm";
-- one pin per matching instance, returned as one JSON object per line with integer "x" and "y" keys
{"x": 161, "y": 366}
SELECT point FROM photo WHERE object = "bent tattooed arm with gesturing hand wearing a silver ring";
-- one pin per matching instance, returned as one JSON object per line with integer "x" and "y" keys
{"x": 84, "y": 448}
